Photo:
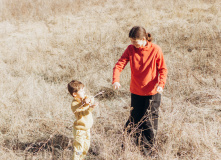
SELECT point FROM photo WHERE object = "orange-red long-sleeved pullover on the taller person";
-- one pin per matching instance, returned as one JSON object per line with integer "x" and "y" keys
{"x": 148, "y": 68}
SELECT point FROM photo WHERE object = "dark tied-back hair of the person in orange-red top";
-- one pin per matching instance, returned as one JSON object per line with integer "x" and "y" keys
{"x": 138, "y": 32}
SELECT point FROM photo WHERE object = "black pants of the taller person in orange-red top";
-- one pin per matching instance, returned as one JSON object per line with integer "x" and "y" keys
{"x": 143, "y": 119}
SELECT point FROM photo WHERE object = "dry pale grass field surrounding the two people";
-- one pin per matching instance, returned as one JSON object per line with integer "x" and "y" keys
{"x": 46, "y": 44}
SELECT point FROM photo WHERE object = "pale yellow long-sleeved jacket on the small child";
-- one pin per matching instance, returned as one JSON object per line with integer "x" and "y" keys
{"x": 83, "y": 114}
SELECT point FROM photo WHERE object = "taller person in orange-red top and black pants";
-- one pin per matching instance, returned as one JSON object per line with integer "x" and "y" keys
{"x": 148, "y": 77}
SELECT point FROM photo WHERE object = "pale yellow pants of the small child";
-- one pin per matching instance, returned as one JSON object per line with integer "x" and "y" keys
{"x": 81, "y": 143}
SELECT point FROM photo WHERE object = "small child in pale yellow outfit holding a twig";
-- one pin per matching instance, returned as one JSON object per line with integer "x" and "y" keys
{"x": 82, "y": 106}
